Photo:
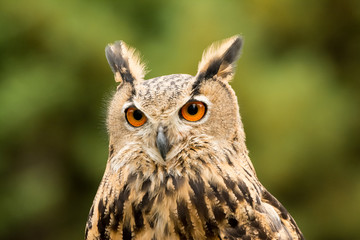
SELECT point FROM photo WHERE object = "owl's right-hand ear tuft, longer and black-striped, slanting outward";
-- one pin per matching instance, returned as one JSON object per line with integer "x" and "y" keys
{"x": 219, "y": 60}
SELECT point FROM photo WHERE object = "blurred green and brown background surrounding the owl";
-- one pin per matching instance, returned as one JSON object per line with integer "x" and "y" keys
{"x": 297, "y": 84}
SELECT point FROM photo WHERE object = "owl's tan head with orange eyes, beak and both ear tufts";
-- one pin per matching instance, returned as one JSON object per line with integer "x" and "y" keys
{"x": 164, "y": 119}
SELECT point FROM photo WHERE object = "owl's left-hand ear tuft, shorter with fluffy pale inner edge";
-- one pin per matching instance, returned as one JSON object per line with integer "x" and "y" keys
{"x": 125, "y": 62}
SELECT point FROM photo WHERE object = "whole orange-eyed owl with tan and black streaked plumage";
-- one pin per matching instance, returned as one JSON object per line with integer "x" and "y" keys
{"x": 178, "y": 166}
